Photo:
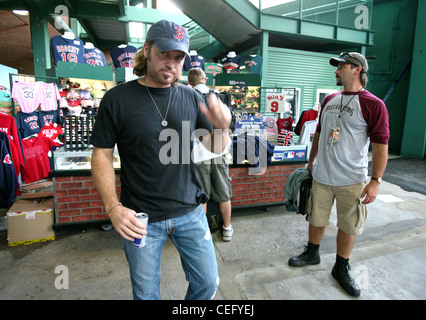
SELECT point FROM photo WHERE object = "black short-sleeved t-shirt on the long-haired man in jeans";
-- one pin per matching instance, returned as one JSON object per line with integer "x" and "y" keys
{"x": 157, "y": 173}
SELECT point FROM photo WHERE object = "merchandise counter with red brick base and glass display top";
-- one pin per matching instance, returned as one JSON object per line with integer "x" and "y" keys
{"x": 76, "y": 199}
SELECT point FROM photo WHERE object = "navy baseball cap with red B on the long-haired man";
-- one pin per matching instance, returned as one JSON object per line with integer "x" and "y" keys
{"x": 169, "y": 36}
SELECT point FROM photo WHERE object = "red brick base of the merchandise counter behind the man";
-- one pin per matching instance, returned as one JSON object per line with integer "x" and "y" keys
{"x": 77, "y": 200}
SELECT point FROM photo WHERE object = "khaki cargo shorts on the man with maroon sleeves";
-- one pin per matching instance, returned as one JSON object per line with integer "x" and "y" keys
{"x": 351, "y": 213}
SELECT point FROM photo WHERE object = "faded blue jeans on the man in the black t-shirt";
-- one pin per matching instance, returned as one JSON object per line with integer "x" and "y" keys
{"x": 190, "y": 234}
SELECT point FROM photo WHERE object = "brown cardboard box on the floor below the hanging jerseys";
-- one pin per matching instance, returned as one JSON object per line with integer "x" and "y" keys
{"x": 30, "y": 221}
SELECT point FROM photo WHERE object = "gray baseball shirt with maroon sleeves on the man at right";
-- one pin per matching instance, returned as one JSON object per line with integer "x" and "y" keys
{"x": 344, "y": 142}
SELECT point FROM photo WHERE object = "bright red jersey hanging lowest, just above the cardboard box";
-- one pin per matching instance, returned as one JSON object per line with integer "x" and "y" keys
{"x": 36, "y": 152}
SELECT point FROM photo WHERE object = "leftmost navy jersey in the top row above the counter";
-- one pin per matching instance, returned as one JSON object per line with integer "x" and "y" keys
{"x": 69, "y": 50}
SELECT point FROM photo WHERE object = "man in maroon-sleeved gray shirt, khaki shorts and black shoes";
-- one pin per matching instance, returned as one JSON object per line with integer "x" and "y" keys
{"x": 348, "y": 121}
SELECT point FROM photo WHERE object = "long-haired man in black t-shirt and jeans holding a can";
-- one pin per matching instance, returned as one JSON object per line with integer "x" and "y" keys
{"x": 152, "y": 120}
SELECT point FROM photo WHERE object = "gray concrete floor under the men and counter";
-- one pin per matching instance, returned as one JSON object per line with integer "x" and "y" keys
{"x": 387, "y": 261}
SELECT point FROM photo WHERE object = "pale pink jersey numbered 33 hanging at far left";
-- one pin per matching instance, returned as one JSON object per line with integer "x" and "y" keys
{"x": 27, "y": 95}
